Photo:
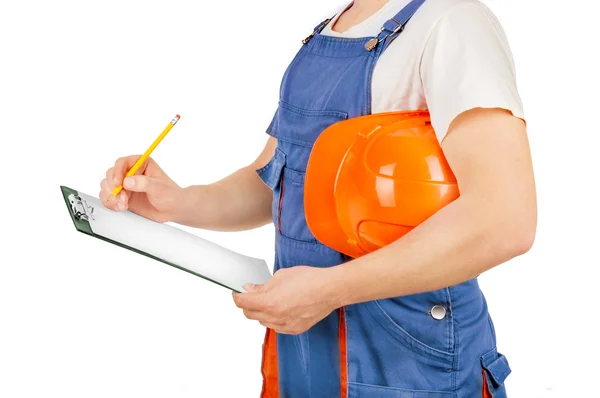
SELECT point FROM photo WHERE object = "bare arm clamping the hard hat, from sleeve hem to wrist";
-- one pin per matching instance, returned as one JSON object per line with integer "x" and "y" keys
{"x": 492, "y": 221}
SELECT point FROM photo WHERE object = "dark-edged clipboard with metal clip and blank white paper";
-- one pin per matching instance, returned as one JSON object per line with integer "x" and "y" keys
{"x": 164, "y": 243}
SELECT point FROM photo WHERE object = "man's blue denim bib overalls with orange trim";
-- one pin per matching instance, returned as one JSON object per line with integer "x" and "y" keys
{"x": 396, "y": 347}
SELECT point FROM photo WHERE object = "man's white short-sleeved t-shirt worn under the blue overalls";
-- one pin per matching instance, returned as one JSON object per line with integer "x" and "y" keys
{"x": 452, "y": 56}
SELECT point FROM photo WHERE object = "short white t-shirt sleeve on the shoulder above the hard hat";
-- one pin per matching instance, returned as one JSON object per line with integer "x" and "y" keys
{"x": 467, "y": 63}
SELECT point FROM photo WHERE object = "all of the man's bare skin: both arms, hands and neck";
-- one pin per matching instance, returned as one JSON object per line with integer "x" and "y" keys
{"x": 493, "y": 220}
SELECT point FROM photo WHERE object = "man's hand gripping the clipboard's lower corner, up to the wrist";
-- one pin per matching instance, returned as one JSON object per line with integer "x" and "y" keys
{"x": 292, "y": 301}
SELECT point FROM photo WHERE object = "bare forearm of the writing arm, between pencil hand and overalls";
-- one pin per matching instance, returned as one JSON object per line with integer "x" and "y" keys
{"x": 240, "y": 201}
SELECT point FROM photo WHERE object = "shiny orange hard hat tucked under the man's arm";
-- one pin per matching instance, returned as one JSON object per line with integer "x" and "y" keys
{"x": 371, "y": 179}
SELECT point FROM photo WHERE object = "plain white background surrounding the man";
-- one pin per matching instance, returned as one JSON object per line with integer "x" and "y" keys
{"x": 82, "y": 83}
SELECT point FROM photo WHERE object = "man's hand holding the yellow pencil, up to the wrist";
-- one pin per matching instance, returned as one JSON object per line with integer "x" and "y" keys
{"x": 150, "y": 193}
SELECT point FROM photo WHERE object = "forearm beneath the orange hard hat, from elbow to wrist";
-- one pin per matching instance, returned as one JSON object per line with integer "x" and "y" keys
{"x": 459, "y": 242}
